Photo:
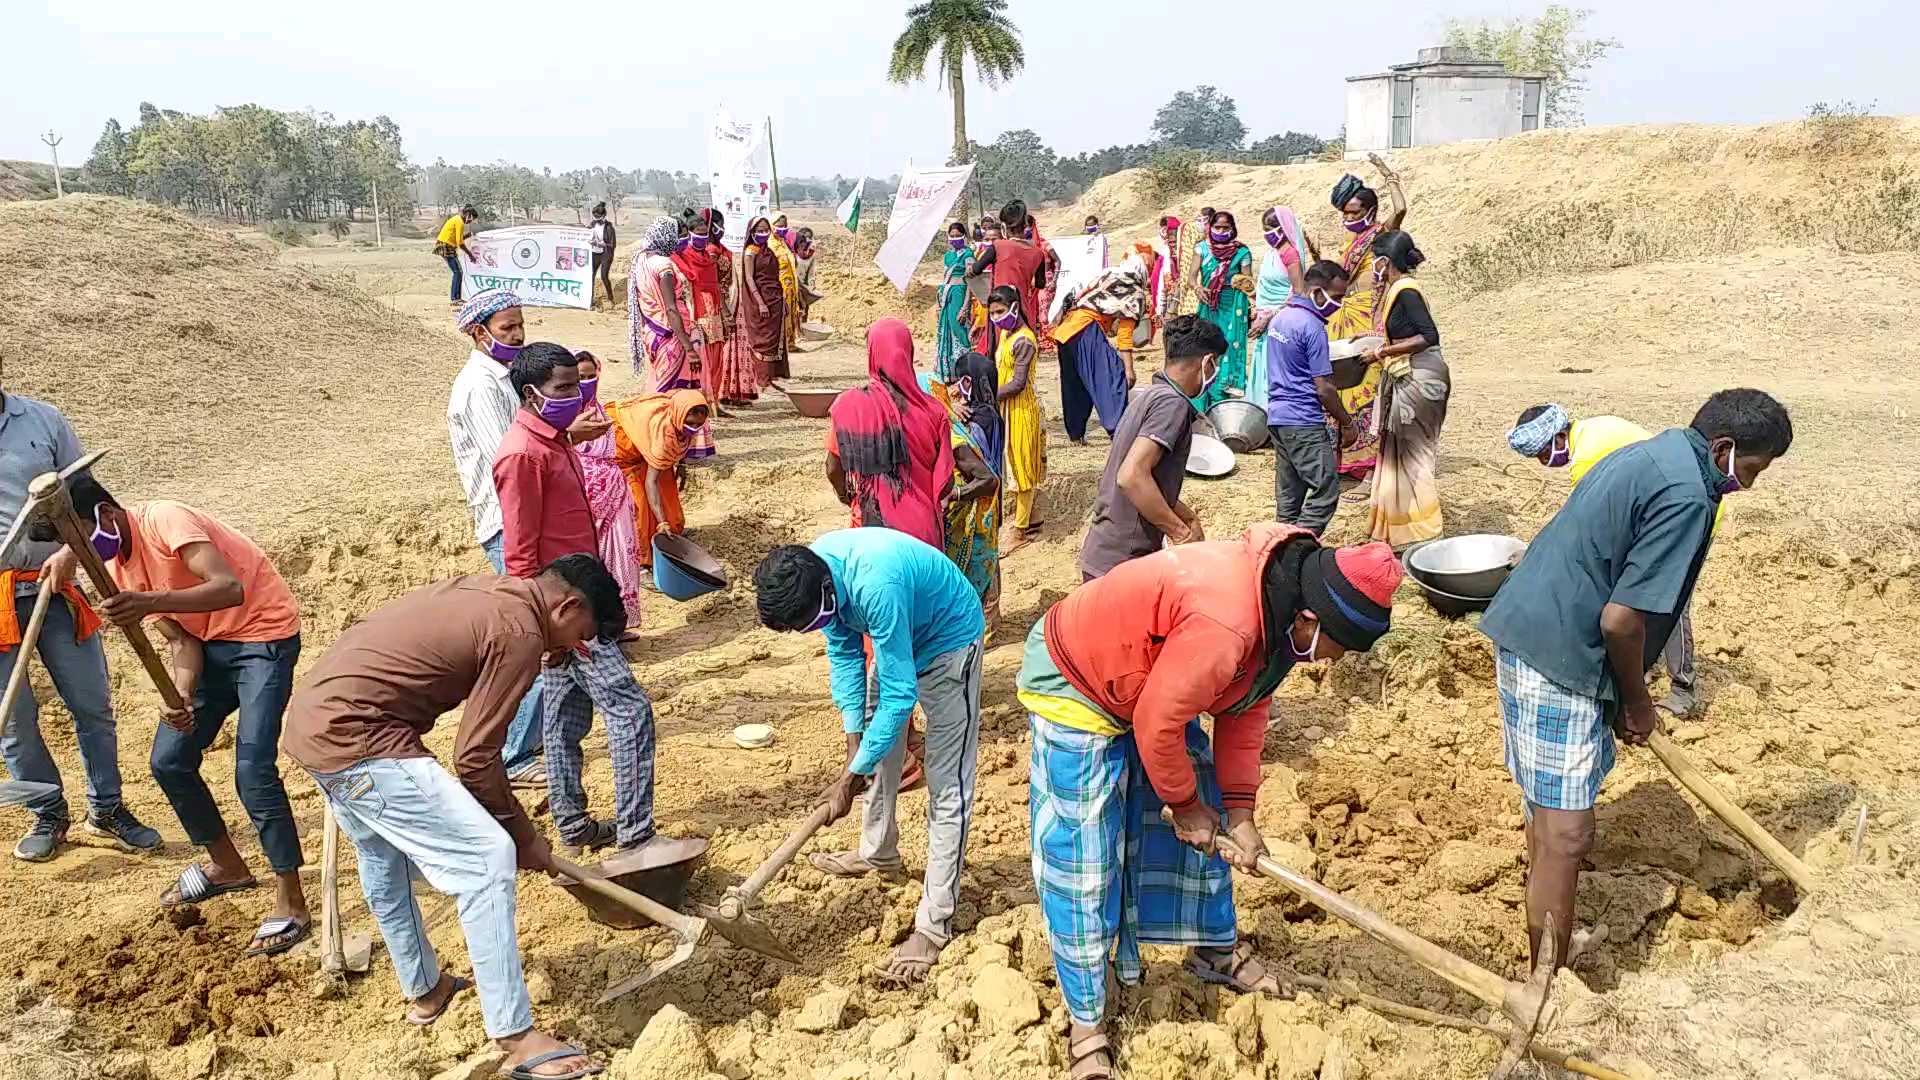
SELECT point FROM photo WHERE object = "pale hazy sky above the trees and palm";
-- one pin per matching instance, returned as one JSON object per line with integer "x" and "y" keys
{"x": 627, "y": 86}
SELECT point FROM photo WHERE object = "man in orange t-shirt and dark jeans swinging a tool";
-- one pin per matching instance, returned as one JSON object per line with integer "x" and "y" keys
{"x": 235, "y": 635}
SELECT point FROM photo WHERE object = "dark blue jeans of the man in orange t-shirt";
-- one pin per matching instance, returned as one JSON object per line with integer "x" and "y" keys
{"x": 254, "y": 679}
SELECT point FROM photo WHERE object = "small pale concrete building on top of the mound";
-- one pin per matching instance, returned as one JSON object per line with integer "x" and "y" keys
{"x": 1445, "y": 97}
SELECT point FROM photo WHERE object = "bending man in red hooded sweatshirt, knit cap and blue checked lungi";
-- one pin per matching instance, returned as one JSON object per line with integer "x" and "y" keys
{"x": 1115, "y": 679}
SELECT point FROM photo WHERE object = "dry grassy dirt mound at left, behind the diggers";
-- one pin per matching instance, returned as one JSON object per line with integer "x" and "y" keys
{"x": 214, "y": 374}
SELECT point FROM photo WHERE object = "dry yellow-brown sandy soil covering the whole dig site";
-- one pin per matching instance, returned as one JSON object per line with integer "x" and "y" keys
{"x": 318, "y": 399}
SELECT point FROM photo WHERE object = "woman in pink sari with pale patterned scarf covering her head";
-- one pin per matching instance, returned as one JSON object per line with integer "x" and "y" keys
{"x": 661, "y": 333}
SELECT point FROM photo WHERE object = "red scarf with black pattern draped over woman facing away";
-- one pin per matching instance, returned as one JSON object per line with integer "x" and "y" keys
{"x": 894, "y": 439}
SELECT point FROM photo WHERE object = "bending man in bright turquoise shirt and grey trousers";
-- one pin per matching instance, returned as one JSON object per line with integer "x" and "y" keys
{"x": 928, "y": 635}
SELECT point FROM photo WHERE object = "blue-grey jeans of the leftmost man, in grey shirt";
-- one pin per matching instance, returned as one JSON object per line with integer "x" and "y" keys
{"x": 80, "y": 672}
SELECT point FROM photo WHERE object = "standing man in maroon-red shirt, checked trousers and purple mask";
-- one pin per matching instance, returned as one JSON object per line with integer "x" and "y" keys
{"x": 544, "y": 516}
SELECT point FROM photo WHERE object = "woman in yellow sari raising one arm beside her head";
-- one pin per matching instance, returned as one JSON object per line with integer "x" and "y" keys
{"x": 1362, "y": 310}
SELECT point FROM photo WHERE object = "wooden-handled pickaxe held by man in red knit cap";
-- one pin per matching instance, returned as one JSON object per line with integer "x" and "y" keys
{"x": 1525, "y": 1004}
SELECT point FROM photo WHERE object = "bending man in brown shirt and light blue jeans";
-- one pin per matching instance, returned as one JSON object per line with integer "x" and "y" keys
{"x": 358, "y": 727}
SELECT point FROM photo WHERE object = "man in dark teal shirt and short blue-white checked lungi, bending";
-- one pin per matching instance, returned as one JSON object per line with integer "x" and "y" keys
{"x": 1591, "y": 608}
